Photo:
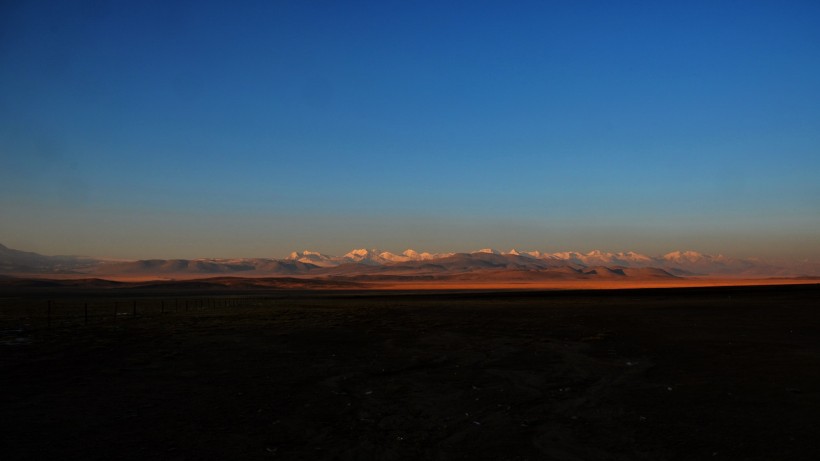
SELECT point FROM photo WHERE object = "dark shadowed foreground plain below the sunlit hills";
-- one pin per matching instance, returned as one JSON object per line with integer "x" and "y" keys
{"x": 678, "y": 374}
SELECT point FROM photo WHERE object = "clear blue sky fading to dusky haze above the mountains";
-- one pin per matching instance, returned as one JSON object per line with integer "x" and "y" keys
{"x": 158, "y": 129}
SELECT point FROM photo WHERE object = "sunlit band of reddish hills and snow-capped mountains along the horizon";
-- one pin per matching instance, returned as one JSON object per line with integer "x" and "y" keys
{"x": 379, "y": 264}
